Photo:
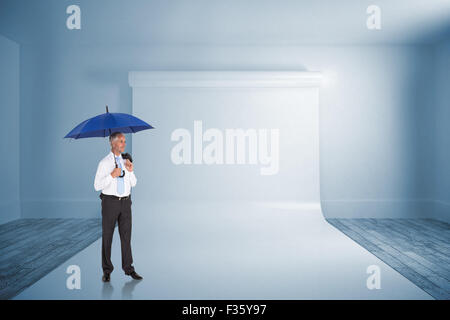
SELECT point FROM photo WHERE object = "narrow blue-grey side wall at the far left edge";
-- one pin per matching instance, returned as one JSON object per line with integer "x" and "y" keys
{"x": 9, "y": 129}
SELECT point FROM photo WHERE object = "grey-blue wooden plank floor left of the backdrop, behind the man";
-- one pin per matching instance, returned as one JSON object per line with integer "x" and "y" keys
{"x": 31, "y": 248}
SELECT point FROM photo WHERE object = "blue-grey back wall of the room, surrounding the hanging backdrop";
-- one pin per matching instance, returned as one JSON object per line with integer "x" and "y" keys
{"x": 369, "y": 115}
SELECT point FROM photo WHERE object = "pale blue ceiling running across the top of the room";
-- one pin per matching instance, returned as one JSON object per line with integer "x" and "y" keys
{"x": 225, "y": 22}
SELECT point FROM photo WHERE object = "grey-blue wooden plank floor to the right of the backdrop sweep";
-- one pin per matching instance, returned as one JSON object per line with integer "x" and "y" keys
{"x": 419, "y": 249}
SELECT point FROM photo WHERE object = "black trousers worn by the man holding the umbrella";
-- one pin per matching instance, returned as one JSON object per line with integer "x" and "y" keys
{"x": 116, "y": 210}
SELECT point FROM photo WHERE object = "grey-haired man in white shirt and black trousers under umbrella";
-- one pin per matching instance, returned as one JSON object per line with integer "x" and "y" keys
{"x": 115, "y": 184}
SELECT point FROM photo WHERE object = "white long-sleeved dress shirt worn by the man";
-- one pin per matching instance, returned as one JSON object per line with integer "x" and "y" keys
{"x": 106, "y": 183}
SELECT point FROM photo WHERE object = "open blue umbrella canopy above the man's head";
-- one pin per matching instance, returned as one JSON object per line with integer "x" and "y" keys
{"x": 105, "y": 124}
